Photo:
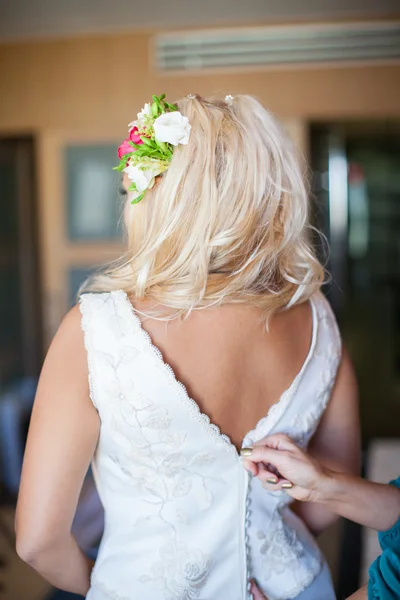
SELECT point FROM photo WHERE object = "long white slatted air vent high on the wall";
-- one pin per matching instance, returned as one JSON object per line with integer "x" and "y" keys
{"x": 277, "y": 45}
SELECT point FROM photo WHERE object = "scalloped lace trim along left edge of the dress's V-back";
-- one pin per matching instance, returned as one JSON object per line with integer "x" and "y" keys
{"x": 183, "y": 393}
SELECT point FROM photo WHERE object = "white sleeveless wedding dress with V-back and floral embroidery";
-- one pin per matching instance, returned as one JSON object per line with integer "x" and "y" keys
{"x": 183, "y": 519}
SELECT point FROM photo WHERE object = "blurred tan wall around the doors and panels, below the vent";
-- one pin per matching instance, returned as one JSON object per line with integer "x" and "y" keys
{"x": 90, "y": 88}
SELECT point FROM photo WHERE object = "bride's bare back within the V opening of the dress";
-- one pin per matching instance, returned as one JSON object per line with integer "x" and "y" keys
{"x": 230, "y": 364}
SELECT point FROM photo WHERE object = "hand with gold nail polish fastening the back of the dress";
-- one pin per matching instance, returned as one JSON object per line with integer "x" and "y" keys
{"x": 280, "y": 464}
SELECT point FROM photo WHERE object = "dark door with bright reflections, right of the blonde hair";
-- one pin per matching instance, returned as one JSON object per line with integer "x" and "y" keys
{"x": 356, "y": 183}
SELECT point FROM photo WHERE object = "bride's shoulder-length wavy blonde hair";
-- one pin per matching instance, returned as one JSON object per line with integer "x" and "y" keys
{"x": 228, "y": 221}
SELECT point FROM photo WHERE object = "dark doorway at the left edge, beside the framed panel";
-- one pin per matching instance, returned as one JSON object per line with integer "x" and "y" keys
{"x": 21, "y": 350}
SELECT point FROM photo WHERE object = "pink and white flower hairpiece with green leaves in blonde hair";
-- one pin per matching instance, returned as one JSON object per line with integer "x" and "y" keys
{"x": 148, "y": 150}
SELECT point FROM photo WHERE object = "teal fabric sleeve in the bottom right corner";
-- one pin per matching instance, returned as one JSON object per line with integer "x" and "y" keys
{"x": 384, "y": 573}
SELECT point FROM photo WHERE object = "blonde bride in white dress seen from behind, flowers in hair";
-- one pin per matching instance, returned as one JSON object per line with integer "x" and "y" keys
{"x": 207, "y": 335}
